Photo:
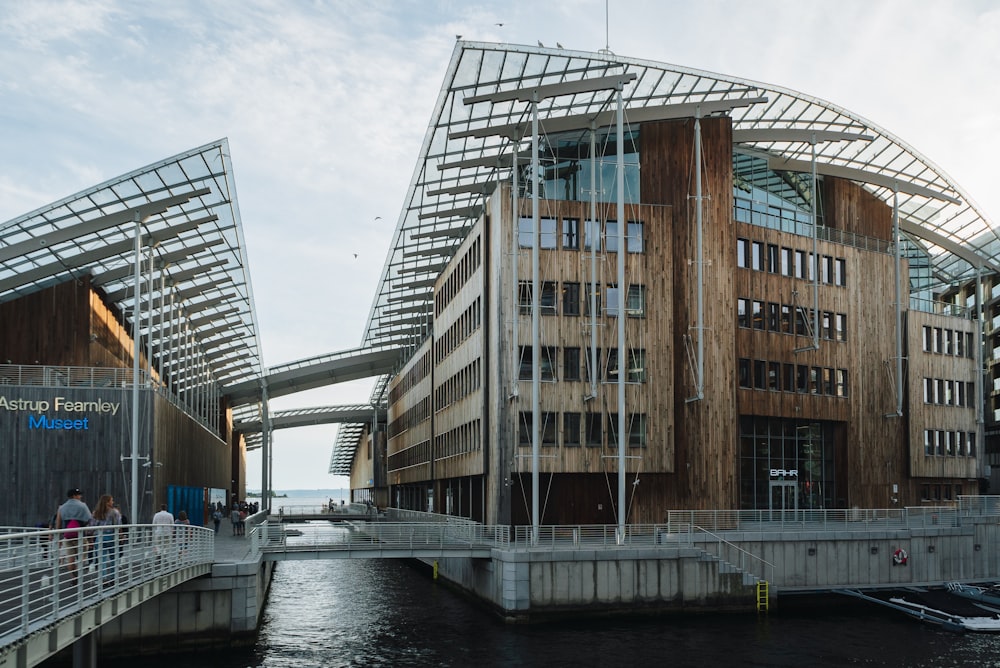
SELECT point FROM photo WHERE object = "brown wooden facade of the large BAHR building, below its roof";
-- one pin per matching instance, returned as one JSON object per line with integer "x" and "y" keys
{"x": 798, "y": 407}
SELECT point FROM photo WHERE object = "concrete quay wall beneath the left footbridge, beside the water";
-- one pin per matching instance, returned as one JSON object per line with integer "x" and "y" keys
{"x": 215, "y": 611}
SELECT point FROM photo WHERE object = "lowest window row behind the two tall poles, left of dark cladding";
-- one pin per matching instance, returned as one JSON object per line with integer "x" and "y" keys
{"x": 593, "y": 430}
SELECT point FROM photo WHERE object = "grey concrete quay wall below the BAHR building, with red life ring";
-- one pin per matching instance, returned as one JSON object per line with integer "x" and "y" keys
{"x": 527, "y": 584}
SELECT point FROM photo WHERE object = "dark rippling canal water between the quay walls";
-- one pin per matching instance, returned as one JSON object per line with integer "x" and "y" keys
{"x": 387, "y": 613}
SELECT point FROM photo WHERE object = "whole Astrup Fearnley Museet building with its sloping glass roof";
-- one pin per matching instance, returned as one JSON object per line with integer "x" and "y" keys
{"x": 126, "y": 312}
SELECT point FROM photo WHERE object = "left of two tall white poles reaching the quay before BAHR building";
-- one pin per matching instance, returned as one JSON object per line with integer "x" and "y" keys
{"x": 536, "y": 353}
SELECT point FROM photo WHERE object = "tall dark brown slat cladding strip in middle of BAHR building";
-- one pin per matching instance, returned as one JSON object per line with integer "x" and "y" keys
{"x": 705, "y": 429}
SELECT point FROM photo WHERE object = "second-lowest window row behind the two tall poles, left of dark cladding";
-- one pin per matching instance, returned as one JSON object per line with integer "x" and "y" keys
{"x": 571, "y": 367}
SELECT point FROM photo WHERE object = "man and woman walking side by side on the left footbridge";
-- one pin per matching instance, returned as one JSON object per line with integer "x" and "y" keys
{"x": 100, "y": 544}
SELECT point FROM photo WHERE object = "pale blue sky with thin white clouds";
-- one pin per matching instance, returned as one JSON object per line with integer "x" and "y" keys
{"x": 325, "y": 105}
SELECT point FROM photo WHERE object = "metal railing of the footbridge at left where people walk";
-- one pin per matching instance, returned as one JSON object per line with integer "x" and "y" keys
{"x": 46, "y": 576}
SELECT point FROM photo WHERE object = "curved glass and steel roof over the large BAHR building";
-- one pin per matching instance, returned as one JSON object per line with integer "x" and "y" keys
{"x": 468, "y": 149}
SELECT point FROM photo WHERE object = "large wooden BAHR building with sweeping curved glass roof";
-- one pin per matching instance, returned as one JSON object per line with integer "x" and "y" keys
{"x": 802, "y": 302}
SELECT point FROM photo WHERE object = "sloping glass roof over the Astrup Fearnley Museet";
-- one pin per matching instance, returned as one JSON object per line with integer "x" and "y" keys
{"x": 191, "y": 232}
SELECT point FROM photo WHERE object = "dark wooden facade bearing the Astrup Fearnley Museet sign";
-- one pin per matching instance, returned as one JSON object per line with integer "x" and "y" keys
{"x": 69, "y": 325}
